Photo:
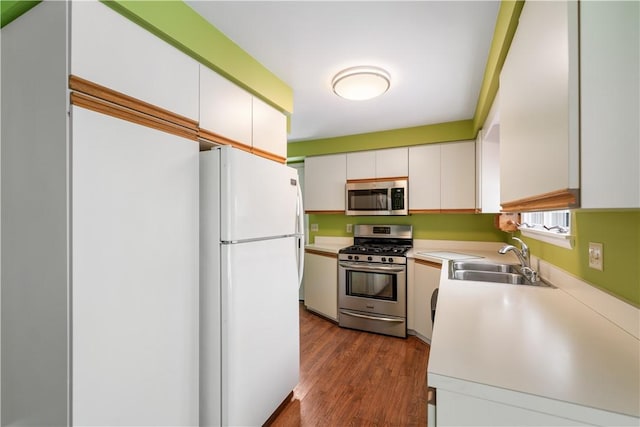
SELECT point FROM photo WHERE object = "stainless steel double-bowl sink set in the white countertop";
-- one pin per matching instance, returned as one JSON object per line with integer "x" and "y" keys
{"x": 490, "y": 272}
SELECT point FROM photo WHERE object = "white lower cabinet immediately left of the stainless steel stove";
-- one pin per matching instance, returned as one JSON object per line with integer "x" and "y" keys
{"x": 321, "y": 283}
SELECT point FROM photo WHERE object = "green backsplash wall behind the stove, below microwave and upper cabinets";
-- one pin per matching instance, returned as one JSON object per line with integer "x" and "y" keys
{"x": 469, "y": 227}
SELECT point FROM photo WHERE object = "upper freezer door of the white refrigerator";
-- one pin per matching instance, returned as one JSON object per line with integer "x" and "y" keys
{"x": 258, "y": 197}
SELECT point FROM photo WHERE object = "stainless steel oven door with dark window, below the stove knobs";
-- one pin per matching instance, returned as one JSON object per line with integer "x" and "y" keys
{"x": 373, "y": 288}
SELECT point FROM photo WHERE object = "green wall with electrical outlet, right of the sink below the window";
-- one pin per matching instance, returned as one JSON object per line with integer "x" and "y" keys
{"x": 619, "y": 232}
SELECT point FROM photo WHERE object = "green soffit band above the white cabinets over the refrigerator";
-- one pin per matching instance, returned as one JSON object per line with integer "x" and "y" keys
{"x": 179, "y": 25}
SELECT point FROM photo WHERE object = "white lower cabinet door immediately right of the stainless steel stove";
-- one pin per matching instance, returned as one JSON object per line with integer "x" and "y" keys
{"x": 426, "y": 280}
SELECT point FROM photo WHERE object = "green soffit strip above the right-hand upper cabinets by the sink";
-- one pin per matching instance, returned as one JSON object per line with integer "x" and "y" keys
{"x": 506, "y": 25}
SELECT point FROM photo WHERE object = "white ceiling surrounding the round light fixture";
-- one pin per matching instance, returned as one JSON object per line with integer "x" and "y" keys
{"x": 435, "y": 51}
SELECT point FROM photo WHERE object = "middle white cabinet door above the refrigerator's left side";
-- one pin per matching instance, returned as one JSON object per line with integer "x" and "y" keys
{"x": 225, "y": 108}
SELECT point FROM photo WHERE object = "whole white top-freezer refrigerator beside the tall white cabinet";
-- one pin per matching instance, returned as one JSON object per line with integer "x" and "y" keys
{"x": 251, "y": 256}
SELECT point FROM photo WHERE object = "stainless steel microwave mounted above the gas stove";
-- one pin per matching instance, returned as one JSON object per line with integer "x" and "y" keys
{"x": 377, "y": 198}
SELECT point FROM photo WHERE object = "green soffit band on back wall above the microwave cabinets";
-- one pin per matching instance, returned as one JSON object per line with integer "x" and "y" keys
{"x": 442, "y": 132}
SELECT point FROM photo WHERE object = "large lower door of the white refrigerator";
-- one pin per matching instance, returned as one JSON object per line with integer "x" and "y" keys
{"x": 260, "y": 329}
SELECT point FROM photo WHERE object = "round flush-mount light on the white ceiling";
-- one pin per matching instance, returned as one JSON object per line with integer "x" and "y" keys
{"x": 361, "y": 83}
